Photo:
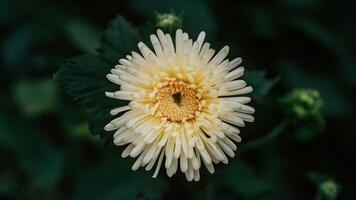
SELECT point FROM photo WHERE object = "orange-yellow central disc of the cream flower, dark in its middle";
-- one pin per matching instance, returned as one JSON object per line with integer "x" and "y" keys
{"x": 177, "y": 101}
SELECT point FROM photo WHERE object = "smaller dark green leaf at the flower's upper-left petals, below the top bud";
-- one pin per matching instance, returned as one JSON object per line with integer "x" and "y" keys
{"x": 118, "y": 40}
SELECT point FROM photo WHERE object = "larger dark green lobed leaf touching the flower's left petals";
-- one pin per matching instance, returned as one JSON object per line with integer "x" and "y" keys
{"x": 84, "y": 79}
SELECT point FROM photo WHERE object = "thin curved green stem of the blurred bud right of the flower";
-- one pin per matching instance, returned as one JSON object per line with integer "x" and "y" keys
{"x": 268, "y": 137}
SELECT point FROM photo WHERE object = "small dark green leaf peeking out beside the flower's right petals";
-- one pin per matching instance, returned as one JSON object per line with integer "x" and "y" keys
{"x": 261, "y": 85}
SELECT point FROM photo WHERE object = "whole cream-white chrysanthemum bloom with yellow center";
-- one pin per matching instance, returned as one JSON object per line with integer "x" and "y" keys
{"x": 185, "y": 105}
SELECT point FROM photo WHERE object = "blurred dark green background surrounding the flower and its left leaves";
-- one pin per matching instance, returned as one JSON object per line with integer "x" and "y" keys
{"x": 47, "y": 151}
